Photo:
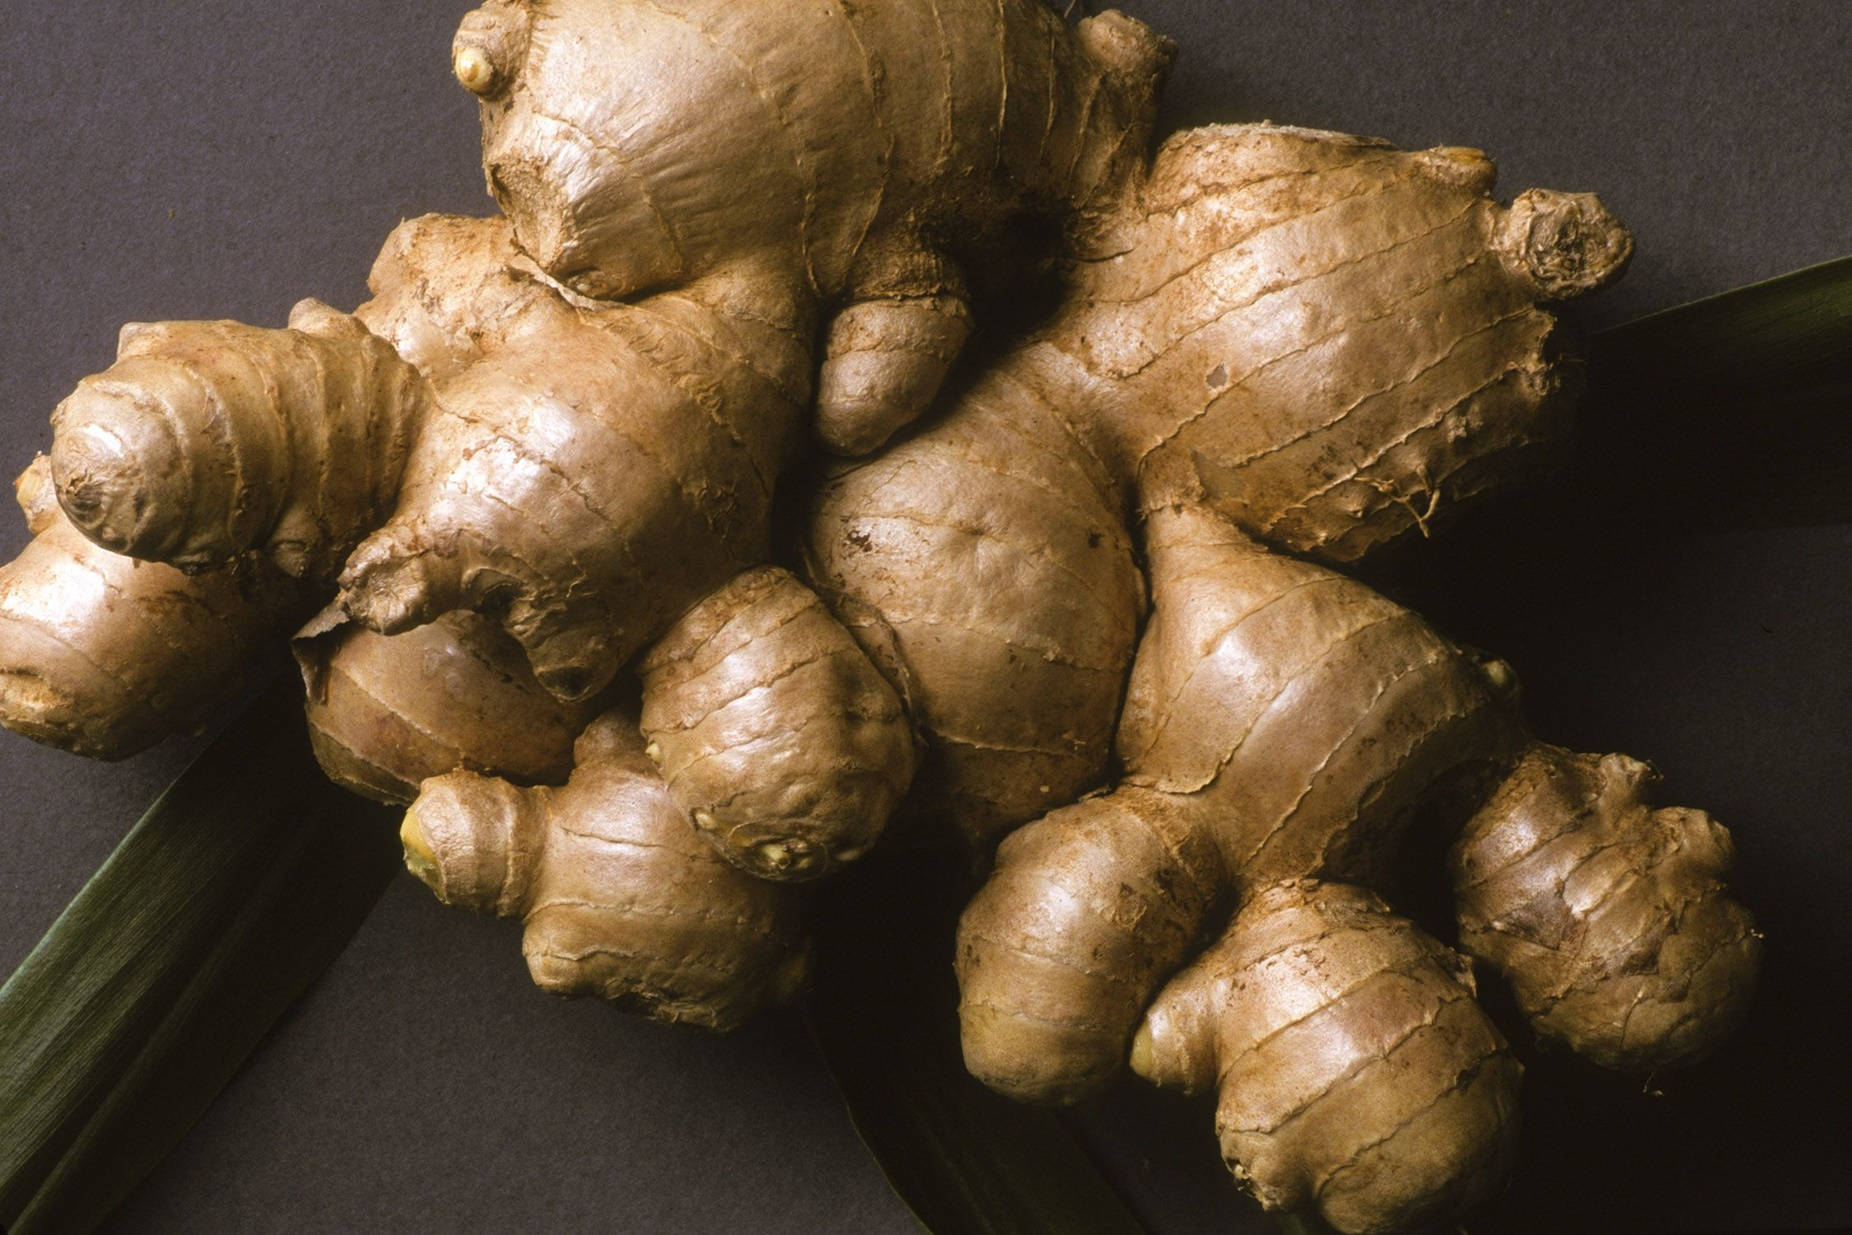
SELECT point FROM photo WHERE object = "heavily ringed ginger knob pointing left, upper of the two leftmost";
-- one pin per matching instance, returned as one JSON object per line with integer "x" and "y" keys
{"x": 210, "y": 440}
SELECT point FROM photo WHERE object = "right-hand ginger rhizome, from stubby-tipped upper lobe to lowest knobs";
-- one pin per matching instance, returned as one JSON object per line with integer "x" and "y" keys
{"x": 1288, "y": 343}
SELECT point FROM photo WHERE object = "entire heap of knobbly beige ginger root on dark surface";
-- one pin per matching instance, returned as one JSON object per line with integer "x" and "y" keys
{"x": 1092, "y": 592}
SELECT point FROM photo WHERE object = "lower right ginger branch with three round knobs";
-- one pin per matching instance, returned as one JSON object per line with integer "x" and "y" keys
{"x": 1286, "y": 725}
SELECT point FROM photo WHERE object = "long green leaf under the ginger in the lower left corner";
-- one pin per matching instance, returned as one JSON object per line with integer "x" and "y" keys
{"x": 225, "y": 903}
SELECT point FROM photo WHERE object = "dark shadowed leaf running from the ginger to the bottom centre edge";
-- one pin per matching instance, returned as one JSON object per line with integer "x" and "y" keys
{"x": 882, "y": 1010}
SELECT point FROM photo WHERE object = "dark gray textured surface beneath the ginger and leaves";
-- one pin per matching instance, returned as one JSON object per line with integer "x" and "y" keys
{"x": 225, "y": 160}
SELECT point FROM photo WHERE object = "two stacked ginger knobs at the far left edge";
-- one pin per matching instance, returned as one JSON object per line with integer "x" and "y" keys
{"x": 221, "y": 475}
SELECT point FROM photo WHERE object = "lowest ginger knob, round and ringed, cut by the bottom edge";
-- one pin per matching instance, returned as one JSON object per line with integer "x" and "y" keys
{"x": 1357, "y": 1075}
